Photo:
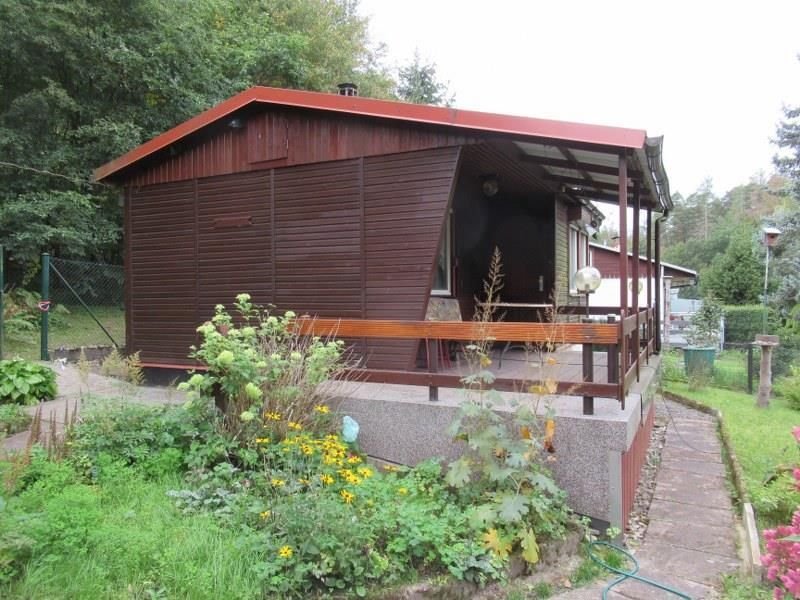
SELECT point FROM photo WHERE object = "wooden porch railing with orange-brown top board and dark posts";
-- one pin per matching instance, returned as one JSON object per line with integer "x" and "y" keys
{"x": 626, "y": 342}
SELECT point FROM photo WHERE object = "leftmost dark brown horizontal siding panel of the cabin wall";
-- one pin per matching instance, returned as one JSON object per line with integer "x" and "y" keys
{"x": 162, "y": 273}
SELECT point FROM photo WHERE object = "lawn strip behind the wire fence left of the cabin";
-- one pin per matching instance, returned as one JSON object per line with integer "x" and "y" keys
{"x": 73, "y": 330}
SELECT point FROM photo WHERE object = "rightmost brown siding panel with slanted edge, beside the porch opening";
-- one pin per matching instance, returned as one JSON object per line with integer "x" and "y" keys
{"x": 406, "y": 199}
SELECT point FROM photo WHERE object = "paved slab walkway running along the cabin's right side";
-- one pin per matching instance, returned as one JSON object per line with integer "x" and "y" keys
{"x": 691, "y": 538}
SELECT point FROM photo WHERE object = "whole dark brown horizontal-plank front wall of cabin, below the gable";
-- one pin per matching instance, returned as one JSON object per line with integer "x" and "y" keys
{"x": 352, "y": 238}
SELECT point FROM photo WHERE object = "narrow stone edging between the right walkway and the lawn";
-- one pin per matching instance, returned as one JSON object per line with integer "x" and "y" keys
{"x": 752, "y": 549}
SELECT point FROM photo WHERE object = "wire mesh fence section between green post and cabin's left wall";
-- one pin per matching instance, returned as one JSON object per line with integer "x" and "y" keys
{"x": 87, "y": 304}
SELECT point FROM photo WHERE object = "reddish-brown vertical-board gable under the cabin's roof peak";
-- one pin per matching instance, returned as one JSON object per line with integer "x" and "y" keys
{"x": 282, "y": 137}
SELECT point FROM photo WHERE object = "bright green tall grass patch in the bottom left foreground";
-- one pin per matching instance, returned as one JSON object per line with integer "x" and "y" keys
{"x": 133, "y": 545}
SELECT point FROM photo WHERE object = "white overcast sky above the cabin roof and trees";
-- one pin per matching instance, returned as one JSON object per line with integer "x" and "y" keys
{"x": 710, "y": 76}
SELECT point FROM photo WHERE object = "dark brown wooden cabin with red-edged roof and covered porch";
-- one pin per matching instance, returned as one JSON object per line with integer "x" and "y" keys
{"x": 360, "y": 209}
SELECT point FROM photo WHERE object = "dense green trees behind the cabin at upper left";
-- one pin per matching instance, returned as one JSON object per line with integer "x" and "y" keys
{"x": 83, "y": 81}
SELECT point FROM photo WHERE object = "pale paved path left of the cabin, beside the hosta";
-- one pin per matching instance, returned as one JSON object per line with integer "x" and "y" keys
{"x": 73, "y": 389}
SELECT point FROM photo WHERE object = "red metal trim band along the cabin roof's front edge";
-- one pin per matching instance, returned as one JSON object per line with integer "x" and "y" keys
{"x": 541, "y": 129}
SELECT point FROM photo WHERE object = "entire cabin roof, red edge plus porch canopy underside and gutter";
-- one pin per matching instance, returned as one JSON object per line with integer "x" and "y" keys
{"x": 581, "y": 158}
